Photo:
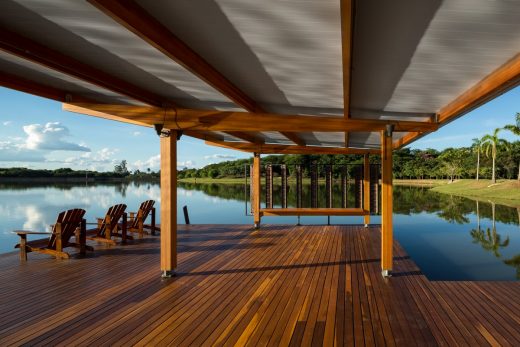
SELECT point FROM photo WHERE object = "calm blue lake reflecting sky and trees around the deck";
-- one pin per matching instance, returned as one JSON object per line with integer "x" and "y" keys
{"x": 450, "y": 238}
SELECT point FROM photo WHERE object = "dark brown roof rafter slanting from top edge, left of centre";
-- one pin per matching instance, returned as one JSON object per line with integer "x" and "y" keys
{"x": 133, "y": 17}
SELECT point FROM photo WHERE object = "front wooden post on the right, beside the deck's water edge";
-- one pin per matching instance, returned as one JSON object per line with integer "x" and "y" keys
{"x": 386, "y": 201}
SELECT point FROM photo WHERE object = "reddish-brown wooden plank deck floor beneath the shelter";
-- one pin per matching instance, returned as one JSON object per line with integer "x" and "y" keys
{"x": 282, "y": 285}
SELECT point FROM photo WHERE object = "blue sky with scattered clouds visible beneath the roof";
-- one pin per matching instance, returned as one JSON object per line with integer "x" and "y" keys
{"x": 35, "y": 133}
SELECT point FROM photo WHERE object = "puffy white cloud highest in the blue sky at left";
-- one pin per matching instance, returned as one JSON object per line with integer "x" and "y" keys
{"x": 50, "y": 137}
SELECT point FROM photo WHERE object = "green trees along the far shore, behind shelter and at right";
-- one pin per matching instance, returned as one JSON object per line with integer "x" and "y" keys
{"x": 488, "y": 157}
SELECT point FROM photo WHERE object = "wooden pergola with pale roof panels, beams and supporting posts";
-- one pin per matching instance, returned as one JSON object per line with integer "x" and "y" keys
{"x": 329, "y": 76}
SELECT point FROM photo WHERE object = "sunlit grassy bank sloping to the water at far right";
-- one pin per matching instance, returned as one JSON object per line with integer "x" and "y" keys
{"x": 504, "y": 191}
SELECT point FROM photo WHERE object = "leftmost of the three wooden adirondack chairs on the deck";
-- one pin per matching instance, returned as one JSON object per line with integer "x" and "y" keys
{"x": 68, "y": 223}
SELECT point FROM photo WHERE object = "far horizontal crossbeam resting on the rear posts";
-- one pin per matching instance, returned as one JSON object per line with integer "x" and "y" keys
{"x": 288, "y": 149}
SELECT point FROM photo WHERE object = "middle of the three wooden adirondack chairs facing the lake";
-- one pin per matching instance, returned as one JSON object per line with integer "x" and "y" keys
{"x": 109, "y": 226}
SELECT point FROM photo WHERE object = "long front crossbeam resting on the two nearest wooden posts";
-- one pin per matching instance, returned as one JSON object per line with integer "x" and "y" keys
{"x": 212, "y": 120}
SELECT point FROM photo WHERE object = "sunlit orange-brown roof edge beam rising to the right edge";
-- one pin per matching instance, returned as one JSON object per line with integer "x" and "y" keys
{"x": 496, "y": 83}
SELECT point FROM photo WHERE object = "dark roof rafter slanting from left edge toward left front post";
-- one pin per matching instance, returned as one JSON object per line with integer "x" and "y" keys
{"x": 24, "y": 48}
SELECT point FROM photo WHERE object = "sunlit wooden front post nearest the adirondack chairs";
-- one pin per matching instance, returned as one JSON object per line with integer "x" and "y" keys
{"x": 169, "y": 204}
